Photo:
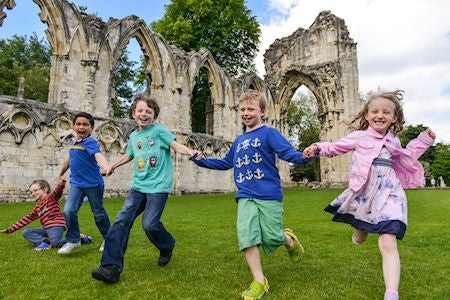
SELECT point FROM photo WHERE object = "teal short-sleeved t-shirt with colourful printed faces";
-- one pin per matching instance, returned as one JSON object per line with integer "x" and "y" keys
{"x": 150, "y": 149}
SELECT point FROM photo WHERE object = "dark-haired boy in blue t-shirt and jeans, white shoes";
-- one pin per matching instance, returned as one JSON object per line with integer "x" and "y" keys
{"x": 84, "y": 159}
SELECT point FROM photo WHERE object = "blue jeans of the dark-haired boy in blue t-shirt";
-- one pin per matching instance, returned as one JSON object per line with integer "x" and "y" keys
{"x": 73, "y": 204}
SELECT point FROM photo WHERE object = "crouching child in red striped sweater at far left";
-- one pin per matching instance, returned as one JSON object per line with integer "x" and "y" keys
{"x": 48, "y": 212}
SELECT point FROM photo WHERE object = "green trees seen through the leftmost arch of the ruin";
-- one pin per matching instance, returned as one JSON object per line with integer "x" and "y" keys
{"x": 28, "y": 57}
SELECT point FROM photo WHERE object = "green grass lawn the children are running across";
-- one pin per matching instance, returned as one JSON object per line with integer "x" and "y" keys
{"x": 207, "y": 264}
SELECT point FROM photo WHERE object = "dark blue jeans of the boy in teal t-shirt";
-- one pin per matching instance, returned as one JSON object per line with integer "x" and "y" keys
{"x": 117, "y": 239}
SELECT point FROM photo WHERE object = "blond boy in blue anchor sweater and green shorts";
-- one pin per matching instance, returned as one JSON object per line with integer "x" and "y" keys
{"x": 259, "y": 195}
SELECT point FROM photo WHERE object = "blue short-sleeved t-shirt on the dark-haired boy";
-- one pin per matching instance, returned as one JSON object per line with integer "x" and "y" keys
{"x": 84, "y": 170}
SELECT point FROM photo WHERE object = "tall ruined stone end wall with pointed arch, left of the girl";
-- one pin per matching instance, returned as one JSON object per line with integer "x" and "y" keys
{"x": 323, "y": 58}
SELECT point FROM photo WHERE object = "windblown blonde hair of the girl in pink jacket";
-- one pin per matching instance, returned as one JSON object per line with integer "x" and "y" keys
{"x": 360, "y": 122}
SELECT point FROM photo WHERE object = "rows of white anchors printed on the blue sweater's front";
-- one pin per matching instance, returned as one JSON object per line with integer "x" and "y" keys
{"x": 248, "y": 159}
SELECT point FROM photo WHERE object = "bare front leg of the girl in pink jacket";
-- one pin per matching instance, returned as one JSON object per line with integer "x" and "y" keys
{"x": 387, "y": 244}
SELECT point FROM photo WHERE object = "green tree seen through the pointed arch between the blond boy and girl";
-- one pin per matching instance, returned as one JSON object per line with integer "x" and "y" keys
{"x": 304, "y": 130}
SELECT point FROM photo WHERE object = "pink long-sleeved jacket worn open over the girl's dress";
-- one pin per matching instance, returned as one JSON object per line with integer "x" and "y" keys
{"x": 366, "y": 146}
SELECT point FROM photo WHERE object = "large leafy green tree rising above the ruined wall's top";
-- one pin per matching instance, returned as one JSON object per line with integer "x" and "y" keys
{"x": 224, "y": 27}
